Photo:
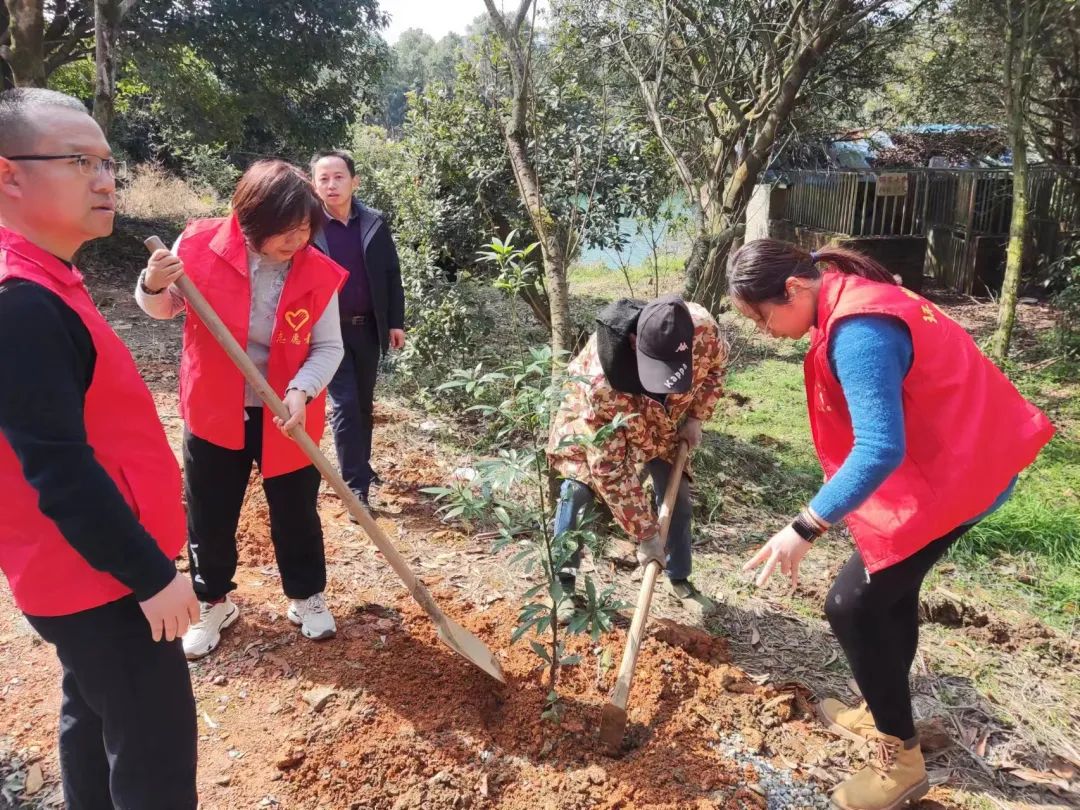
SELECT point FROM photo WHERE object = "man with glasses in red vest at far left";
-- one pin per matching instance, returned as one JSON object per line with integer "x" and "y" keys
{"x": 92, "y": 516}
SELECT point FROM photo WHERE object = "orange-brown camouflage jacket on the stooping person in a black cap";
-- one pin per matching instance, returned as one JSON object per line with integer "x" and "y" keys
{"x": 613, "y": 469}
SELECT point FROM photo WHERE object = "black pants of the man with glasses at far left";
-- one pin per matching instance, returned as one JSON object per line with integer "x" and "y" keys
{"x": 128, "y": 734}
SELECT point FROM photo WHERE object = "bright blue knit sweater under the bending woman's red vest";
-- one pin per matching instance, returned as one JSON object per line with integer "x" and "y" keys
{"x": 871, "y": 356}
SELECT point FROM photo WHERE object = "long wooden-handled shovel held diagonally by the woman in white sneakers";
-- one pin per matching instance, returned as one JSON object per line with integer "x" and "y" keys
{"x": 451, "y": 633}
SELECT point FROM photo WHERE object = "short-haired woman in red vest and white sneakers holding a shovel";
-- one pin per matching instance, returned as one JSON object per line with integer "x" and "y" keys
{"x": 278, "y": 295}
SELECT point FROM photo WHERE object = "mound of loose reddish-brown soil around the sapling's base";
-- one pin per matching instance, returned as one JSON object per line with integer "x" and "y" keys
{"x": 418, "y": 727}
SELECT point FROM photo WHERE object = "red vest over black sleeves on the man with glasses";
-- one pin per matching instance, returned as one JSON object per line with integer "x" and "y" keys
{"x": 48, "y": 577}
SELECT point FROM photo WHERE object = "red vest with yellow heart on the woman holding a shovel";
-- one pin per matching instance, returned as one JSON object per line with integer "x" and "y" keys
{"x": 212, "y": 388}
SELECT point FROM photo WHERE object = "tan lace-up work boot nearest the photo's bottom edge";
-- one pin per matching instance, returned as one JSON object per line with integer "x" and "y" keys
{"x": 896, "y": 776}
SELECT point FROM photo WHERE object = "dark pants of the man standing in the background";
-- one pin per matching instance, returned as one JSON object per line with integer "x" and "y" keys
{"x": 353, "y": 396}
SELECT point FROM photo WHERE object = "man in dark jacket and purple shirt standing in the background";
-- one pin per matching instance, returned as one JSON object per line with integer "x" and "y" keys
{"x": 372, "y": 306}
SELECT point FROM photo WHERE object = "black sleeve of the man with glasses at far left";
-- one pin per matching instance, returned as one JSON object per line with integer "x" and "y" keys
{"x": 45, "y": 373}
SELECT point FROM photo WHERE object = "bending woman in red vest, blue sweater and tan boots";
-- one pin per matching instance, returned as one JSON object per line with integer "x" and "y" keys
{"x": 921, "y": 437}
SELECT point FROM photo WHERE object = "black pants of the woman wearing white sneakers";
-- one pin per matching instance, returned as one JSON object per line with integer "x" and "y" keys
{"x": 215, "y": 480}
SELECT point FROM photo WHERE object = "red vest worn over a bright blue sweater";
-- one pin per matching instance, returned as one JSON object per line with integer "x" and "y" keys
{"x": 968, "y": 430}
